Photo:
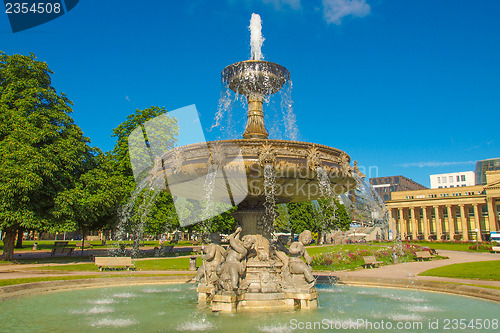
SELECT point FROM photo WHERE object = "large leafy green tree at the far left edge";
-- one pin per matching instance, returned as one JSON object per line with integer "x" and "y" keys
{"x": 42, "y": 151}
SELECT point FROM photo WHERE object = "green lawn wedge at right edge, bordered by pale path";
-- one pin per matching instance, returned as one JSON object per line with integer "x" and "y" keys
{"x": 480, "y": 270}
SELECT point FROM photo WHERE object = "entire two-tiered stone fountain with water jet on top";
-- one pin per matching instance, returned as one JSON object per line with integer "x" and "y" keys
{"x": 255, "y": 272}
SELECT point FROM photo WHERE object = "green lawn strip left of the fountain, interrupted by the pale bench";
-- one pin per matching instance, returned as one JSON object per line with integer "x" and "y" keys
{"x": 140, "y": 265}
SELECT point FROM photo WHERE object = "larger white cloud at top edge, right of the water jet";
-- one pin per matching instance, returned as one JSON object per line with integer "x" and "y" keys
{"x": 335, "y": 10}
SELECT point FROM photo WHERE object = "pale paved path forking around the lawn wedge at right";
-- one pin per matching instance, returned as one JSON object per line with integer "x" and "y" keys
{"x": 411, "y": 270}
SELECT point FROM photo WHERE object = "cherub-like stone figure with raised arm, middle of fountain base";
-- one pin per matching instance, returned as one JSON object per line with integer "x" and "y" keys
{"x": 233, "y": 268}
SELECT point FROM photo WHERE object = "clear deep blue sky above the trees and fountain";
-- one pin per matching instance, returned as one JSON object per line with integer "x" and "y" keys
{"x": 404, "y": 87}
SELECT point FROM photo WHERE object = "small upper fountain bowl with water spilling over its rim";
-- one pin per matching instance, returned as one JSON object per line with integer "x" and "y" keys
{"x": 255, "y": 77}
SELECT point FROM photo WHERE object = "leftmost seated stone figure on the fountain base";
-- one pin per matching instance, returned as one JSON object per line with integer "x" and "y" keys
{"x": 213, "y": 257}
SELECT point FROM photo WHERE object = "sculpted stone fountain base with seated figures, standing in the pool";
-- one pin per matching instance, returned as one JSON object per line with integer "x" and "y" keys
{"x": 269, "y": 280}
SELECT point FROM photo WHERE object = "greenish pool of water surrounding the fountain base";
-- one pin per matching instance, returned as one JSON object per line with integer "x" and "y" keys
{"x": 174, "y": 308}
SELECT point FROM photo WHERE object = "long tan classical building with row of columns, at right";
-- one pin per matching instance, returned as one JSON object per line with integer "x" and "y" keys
{"x": 447, "y": 213}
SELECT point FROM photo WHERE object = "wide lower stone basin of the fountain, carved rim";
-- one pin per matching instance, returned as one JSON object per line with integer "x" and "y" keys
{"x": 295, "y": 163}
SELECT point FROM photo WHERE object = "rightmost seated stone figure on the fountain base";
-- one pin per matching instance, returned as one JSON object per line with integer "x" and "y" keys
{"x": 296, "y": 265}
